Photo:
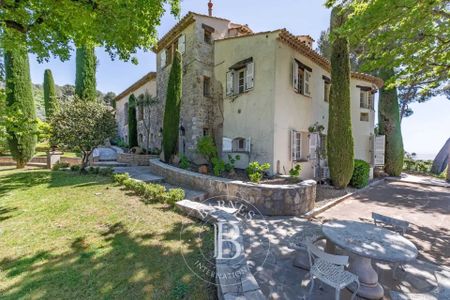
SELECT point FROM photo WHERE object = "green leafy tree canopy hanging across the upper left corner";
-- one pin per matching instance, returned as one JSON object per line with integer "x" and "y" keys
{"x": 50, "y": 28}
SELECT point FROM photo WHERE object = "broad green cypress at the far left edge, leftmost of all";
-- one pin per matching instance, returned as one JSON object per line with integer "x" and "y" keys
{"x": 19, "y": 99}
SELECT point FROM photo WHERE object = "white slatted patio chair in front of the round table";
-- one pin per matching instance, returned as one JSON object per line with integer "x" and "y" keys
{"x": 329, "y": 269}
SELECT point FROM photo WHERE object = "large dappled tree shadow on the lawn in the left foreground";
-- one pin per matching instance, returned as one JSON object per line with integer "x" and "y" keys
{"x": 128, "y": 266}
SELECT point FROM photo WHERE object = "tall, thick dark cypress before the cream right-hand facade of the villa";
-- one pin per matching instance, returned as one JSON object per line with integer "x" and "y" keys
{"x": 340, "y": 139}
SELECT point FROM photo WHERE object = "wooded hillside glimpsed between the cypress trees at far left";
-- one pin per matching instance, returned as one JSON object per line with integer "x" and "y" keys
{"x": 64, "y": 93}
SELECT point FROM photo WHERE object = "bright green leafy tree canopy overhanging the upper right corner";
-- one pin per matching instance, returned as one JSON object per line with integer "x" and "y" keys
{"x": 411, "y": 36}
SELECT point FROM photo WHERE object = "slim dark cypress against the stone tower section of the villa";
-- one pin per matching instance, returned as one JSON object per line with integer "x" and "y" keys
{"x": 171, "y": 121}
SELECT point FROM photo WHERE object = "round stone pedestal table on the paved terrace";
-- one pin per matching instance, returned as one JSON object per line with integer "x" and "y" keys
{"x": 366, "y": 242}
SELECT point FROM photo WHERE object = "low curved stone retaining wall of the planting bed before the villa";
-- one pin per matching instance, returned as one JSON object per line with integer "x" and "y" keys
{"x": 271, "y": 200}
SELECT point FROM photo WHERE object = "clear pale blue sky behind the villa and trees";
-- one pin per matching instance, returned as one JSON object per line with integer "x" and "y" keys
{"x": 425, "y": 132}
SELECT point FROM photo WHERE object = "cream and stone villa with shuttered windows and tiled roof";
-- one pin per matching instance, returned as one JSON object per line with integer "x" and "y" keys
{"x": 263, "y": 96}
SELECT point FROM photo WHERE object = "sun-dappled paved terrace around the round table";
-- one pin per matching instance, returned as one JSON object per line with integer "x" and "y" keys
{"x": 427, "y": 208}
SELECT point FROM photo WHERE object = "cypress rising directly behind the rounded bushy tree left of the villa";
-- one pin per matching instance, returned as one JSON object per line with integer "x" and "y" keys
{"x": 86, "y": 63}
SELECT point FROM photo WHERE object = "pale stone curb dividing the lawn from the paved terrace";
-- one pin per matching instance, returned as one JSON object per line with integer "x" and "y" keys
{"x": 234, "y": 287}
